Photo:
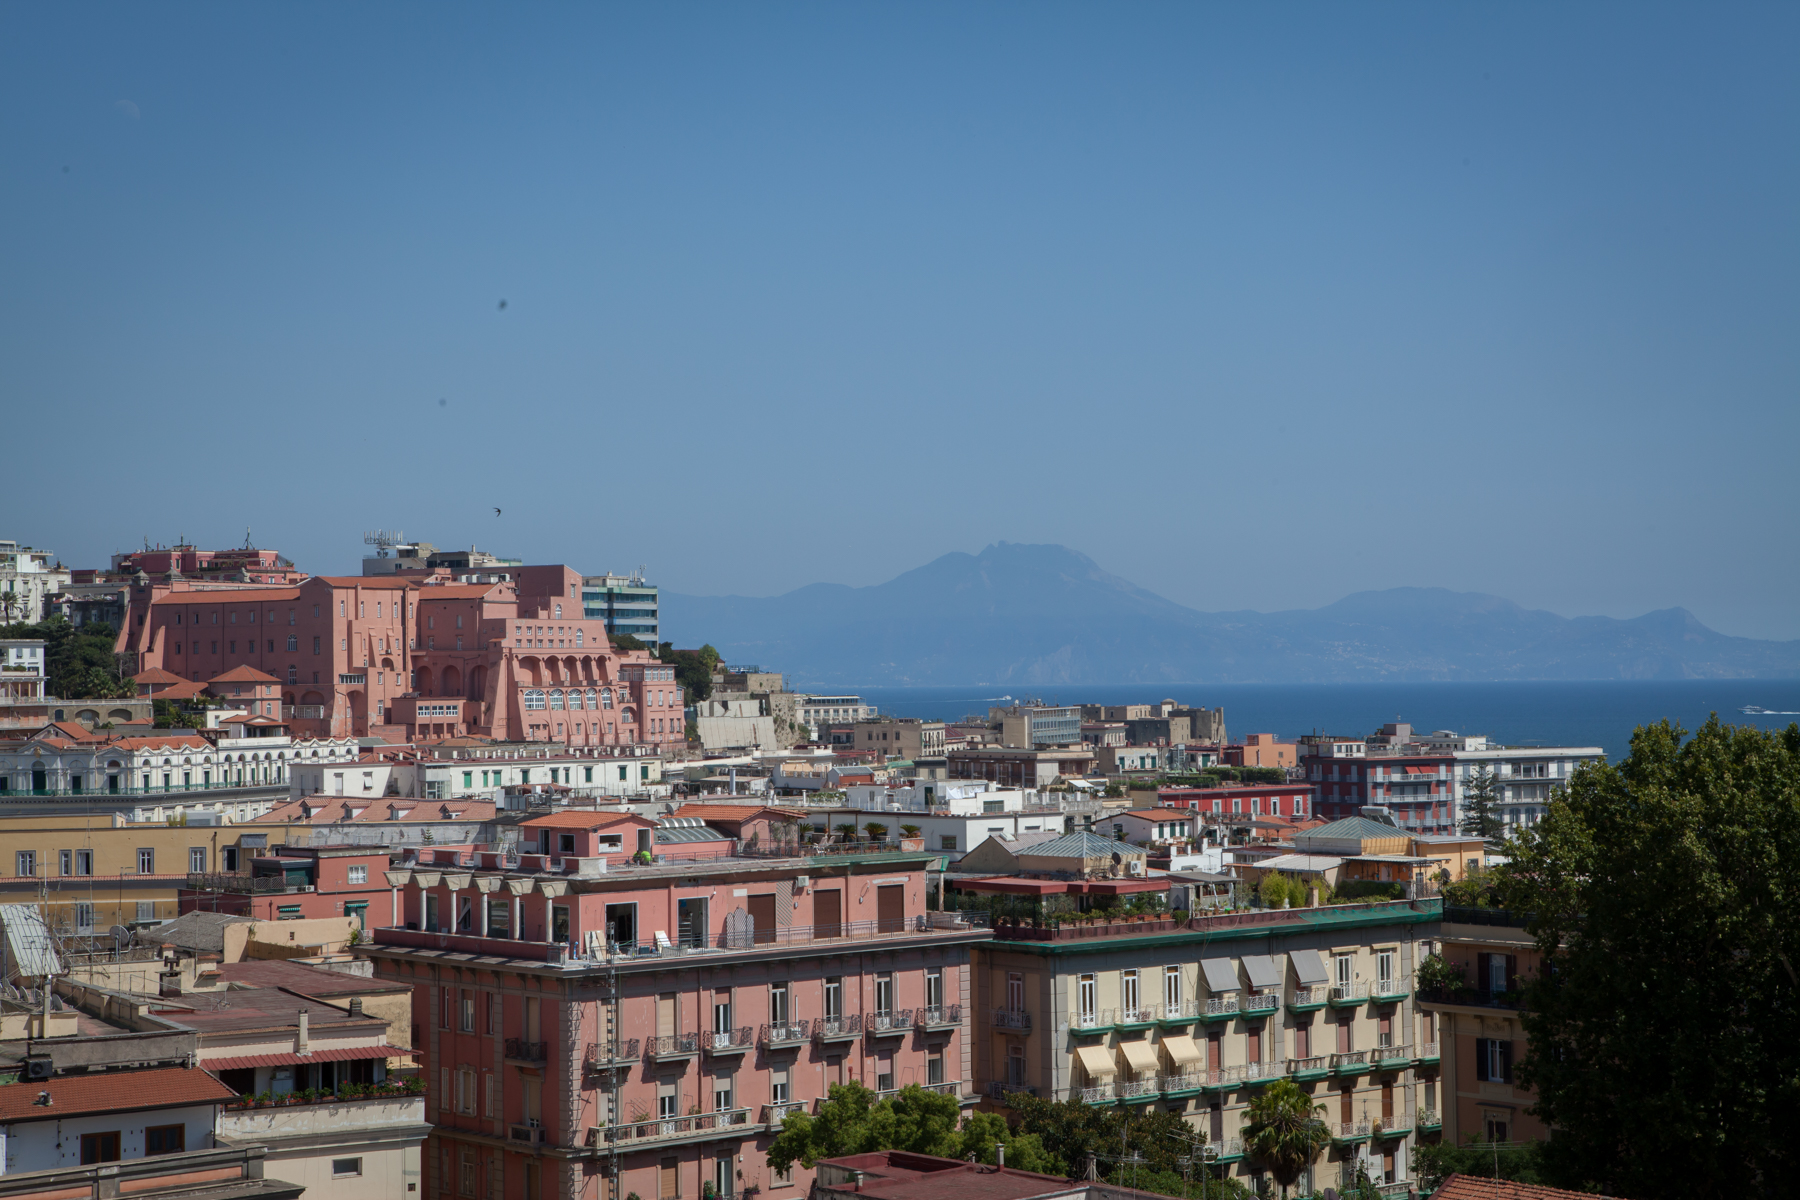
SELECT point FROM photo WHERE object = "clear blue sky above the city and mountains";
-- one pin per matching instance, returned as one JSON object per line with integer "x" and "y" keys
{"x": 1255, "y": 305}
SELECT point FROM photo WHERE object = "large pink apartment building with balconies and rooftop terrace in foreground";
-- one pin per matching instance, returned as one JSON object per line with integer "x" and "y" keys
{"x": 645, "y": 1030}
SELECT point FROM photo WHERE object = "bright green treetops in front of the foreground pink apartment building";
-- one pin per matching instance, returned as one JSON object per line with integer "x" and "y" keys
{"x": 854, "y": 1122}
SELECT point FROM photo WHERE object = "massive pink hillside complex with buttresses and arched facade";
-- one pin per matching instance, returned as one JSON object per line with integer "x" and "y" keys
{"x": 417, "y": 658}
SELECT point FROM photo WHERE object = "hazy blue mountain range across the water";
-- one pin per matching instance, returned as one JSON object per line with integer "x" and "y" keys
{"x": 1045, "y": 614}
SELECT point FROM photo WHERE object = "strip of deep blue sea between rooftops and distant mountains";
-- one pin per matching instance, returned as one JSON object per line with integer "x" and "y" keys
{"x": 1587, "y": 715}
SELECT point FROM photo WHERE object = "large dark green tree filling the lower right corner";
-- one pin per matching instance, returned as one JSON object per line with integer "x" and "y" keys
{"x": 1666, "y": 900}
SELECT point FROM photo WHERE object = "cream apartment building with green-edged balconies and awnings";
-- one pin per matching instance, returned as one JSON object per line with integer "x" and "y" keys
{"x": 1198, "y": 1016}
